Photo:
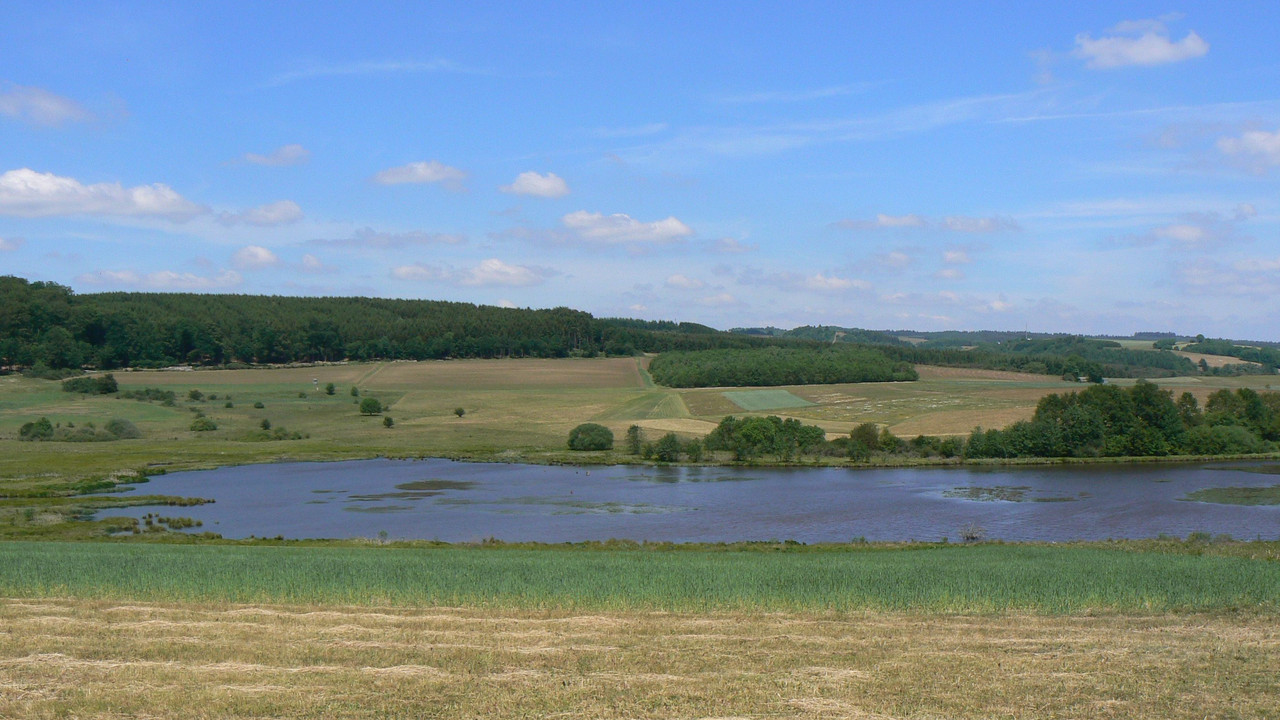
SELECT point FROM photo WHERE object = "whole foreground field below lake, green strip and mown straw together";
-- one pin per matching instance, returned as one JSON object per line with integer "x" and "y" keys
{"x": 113, "y": 631}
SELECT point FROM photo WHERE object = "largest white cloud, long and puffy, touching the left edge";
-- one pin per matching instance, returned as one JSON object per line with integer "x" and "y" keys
{"x": 29, "y": 194}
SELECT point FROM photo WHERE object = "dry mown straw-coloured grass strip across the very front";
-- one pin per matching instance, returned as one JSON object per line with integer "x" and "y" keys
{"x": 89, "y": 659}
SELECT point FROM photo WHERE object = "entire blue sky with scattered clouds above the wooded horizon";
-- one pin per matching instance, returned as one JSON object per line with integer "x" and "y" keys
{"x": 1096, "y": 168}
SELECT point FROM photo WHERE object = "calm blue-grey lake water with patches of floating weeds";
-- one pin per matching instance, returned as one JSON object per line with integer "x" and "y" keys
{"x": 472, "y": 502}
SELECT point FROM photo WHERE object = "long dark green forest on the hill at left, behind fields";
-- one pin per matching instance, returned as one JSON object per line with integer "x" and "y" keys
{"x": 47, "y": 325}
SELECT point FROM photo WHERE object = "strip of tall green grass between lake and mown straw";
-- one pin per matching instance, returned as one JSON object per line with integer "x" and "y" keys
{"x": 950, "y": 580}
